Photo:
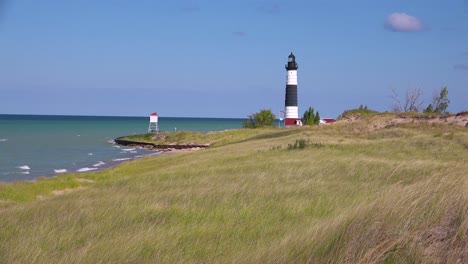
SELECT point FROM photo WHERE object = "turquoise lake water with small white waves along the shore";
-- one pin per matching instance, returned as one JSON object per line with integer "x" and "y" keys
{"x": 35, "y": 146}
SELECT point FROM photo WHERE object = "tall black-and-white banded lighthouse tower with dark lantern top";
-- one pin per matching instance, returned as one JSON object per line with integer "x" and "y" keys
{"x": 291, "y": 110}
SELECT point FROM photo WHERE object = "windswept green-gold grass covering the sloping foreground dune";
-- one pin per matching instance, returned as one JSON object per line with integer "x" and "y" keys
{"x": 352, "y": 195}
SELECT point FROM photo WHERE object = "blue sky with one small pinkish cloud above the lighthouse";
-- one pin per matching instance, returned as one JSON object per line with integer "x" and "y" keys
{"x": 226, "y": 58}
